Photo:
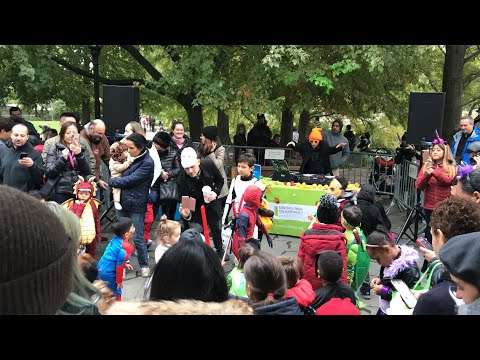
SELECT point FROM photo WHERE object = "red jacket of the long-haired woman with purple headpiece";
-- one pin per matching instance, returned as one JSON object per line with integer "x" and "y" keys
{"x": 437, "y": 186}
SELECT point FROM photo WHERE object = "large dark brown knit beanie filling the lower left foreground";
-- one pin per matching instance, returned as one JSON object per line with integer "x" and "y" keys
{"x": 36, "y": 256}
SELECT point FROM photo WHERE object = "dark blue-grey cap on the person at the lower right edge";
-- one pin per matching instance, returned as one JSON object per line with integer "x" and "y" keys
{"x": 461, "y": 256}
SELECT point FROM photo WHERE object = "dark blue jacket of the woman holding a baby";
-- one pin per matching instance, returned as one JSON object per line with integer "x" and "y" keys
{"x": 135, "y": 183}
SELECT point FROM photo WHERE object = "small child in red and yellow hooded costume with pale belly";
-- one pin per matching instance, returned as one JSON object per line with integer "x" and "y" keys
{"x": 86, "y": 208}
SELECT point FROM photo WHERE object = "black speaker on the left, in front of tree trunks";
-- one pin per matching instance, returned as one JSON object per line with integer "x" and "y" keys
{"x": 120, "y": 106}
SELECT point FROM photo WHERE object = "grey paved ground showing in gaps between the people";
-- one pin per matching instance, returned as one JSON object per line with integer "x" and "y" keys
{"x": 283, "y": 245}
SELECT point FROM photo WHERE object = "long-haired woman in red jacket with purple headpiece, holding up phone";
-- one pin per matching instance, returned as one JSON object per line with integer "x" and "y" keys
{"x": 436, "y": 177}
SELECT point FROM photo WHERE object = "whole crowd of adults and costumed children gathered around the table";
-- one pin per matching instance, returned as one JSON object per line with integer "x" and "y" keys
{"x": 57, "y": 272}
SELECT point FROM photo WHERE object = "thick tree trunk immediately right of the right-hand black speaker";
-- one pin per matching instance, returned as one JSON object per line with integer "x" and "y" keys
{"x": 453, "y": 87}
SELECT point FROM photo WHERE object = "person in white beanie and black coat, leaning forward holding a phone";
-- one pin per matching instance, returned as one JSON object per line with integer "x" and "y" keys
{"x": 196, "y": 175}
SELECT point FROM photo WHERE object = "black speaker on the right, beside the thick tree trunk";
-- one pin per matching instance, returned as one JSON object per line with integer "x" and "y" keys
{"x": 425, "y": 115}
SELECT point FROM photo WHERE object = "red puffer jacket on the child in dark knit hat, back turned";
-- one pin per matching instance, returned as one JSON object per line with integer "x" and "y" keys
{"x": 319, "y": 238}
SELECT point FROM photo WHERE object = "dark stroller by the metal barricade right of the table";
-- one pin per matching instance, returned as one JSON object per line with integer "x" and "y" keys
{"x": 382, "y": 173}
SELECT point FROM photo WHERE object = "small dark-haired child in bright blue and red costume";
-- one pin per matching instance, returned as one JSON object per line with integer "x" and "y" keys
{"x": 114, "y": 259}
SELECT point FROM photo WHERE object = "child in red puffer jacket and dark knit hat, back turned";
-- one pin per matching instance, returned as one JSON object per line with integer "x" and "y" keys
{"x": 324, "y": 235}
